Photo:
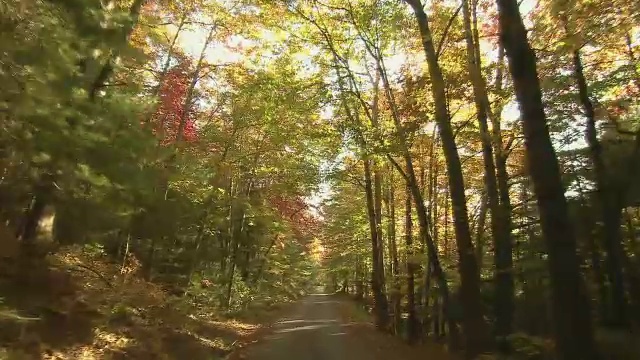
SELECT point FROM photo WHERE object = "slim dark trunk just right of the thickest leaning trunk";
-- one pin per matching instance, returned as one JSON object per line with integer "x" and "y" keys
{"x": 610, "y": 208}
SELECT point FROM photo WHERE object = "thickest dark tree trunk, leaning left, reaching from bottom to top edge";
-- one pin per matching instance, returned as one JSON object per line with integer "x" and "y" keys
{"x": 570, "y": 304}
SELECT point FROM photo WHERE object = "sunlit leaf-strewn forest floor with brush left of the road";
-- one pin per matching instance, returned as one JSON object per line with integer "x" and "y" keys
{"x": 81, "y": 307}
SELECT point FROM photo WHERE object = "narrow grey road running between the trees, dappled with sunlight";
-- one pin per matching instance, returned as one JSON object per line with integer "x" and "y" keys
{"x": 321, "y": 327}
